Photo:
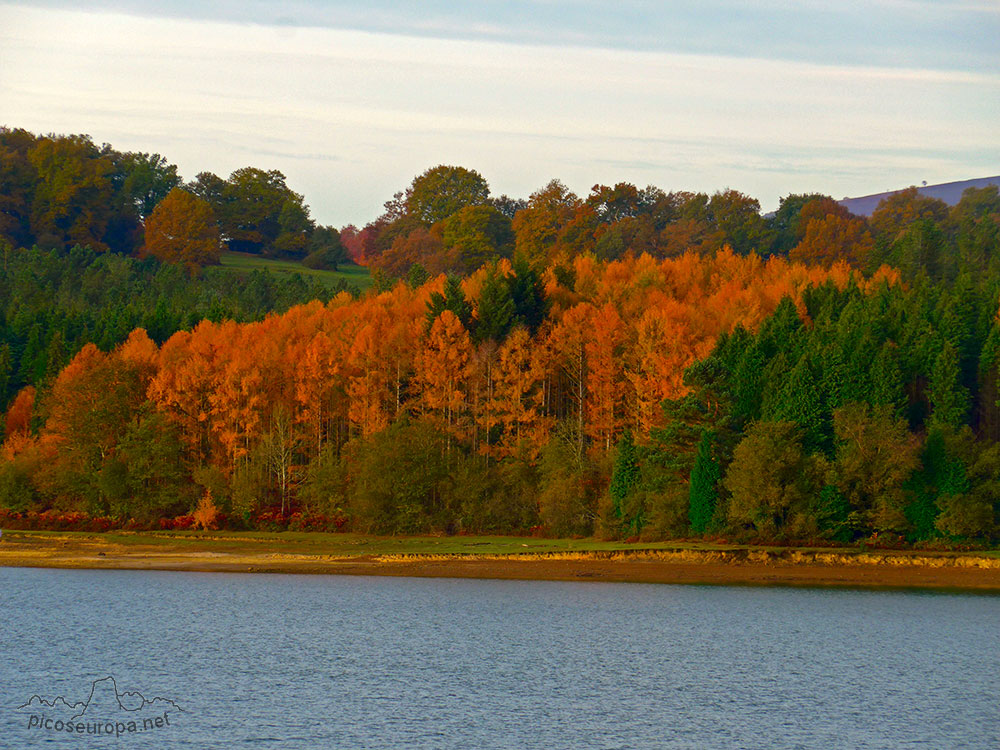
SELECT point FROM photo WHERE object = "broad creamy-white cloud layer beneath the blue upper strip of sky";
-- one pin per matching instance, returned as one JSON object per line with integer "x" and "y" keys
{"x": 350, "y": 116}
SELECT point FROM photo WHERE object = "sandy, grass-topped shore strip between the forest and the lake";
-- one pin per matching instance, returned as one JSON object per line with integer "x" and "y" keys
{"x": 789, "y": 567}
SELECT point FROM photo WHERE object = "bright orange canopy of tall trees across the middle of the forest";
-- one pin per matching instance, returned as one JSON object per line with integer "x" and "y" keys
{"x": 614, "y": 347}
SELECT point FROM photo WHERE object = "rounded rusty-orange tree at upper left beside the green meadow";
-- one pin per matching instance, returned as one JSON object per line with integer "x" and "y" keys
{"x": 182, "y": 230}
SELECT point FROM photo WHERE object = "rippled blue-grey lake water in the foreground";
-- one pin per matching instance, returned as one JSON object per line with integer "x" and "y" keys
{"x": 342, "y": 662}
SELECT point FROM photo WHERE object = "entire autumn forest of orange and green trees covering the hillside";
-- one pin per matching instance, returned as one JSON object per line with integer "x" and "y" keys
{"x": 633, "y": 364}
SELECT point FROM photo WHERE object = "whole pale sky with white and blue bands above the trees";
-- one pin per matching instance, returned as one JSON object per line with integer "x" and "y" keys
{"x": 352, "y": 100}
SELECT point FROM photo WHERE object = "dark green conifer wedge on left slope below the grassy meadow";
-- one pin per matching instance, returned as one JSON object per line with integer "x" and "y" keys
{"x": 53, "y": 302}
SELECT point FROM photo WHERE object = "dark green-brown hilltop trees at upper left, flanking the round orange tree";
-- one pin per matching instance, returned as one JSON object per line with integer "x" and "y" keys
{"x": 58, "y": 191}
